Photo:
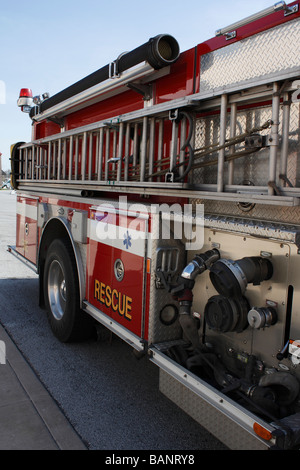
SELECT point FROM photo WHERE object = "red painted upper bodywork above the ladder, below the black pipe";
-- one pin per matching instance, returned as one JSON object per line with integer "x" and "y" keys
{"x": 185, "y": 80}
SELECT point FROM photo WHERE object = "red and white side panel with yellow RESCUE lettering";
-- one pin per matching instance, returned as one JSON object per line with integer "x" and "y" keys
{"x": 116, "y": 268}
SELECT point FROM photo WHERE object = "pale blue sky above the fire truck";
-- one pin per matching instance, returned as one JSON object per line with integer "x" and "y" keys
{"x": 47, "y": 46}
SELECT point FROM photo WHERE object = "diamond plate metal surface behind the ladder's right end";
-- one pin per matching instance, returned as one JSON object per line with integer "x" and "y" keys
{"x": 253, "y": 168}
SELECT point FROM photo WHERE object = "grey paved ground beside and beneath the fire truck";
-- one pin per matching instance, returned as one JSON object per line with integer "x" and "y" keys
{"x": 94, "y": 395}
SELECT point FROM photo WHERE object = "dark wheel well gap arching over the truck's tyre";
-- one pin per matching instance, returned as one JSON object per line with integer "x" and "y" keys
{"x": 55, "y": 229}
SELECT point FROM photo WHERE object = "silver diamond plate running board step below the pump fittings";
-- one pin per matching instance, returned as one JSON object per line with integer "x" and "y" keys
{"x": 225, "y": 419}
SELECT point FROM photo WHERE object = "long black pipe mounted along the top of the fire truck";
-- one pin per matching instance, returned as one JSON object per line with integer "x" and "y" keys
{"x": 160, "y": 51}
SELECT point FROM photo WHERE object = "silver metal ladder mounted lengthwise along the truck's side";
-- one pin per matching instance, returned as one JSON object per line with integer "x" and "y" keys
{"x": 150, "y": 148}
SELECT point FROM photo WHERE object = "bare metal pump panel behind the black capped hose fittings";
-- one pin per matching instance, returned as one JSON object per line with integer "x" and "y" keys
{"x": 266, "y": 342}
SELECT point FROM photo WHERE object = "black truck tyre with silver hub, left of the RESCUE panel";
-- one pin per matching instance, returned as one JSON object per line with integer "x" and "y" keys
{"x": 61, "y": 290}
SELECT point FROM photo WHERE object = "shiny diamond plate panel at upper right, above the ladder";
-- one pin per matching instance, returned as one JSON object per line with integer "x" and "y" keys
{"x": 253, "y": 58}
